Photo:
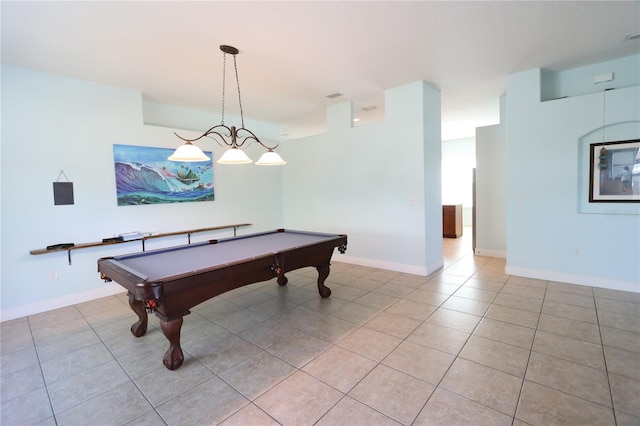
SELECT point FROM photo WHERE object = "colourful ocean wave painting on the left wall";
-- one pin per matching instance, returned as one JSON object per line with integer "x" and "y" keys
{"x": 145, "y": 176}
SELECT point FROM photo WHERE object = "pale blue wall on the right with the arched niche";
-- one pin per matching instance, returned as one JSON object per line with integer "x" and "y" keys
{"x": 550, "y": 233}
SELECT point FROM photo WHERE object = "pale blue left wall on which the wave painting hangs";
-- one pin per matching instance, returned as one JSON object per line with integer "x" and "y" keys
{"x": 51, "y": 123}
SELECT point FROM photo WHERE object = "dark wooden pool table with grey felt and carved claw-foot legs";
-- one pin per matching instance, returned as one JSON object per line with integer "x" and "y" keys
{"x": 172, "y": 280}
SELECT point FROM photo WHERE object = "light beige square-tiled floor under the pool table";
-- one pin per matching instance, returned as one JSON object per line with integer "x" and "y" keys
{"x": 466, "y": 345}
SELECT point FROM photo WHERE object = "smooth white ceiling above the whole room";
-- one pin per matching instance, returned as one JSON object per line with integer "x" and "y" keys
{"x": 294, "y": 54}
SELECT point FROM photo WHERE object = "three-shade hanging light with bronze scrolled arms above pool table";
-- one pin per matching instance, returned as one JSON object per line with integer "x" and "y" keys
{"x": 229, "y": 137}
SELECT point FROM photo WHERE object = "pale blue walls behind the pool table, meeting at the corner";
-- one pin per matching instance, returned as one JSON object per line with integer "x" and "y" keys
{"x": 389, "y": 208}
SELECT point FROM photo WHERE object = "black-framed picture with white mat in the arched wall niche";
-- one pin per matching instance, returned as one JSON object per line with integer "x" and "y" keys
{"x": 614, "y": 172}
